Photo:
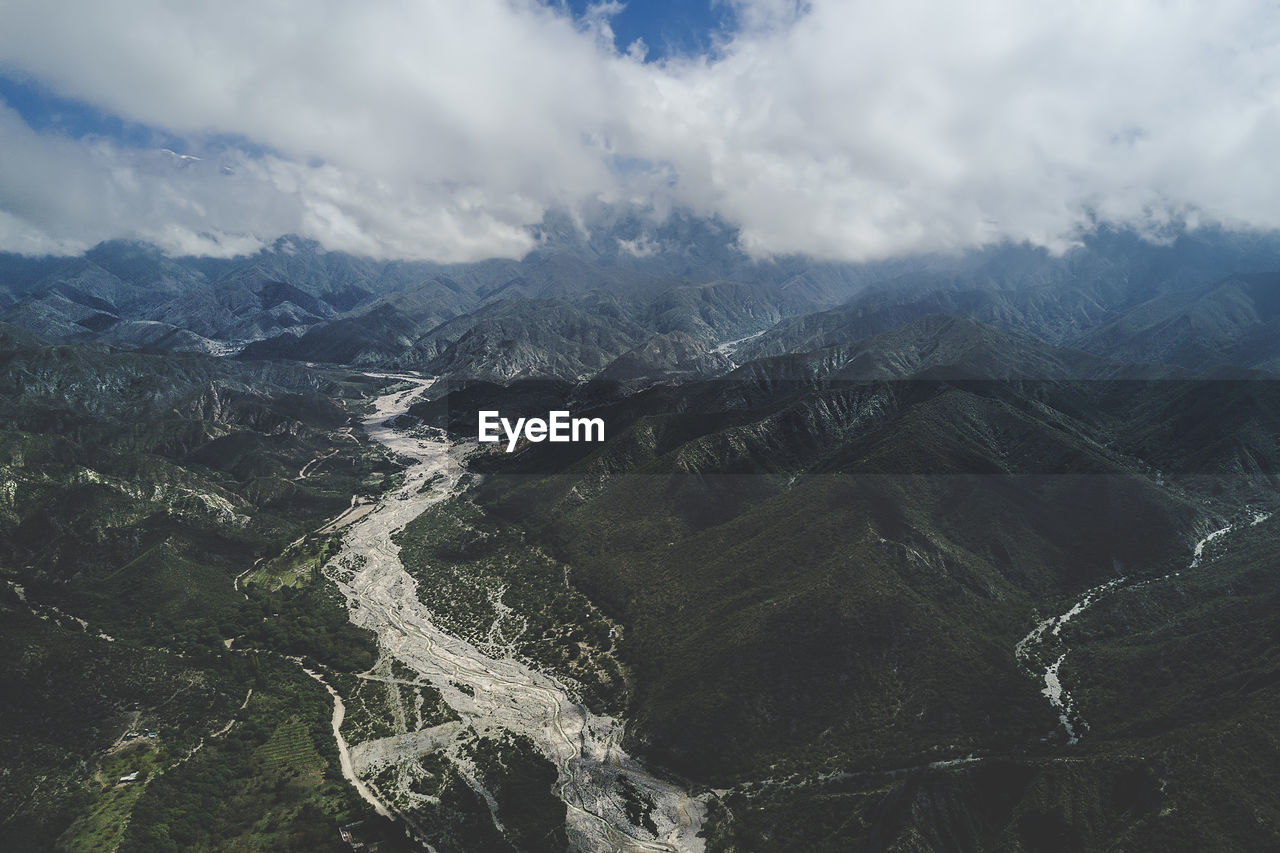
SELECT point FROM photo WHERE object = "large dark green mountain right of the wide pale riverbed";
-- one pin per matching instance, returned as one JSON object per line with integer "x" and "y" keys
{"x": 825, "y": 563}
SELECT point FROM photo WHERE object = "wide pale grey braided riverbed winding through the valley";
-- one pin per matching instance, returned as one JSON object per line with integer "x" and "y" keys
{"x": 596, "y": 777}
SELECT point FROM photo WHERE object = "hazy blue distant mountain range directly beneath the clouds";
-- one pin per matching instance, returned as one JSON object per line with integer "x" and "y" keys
{"x": 294, "y": 300}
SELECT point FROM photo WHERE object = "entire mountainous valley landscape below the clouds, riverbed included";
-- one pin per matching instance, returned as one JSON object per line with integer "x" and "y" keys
{"x": 904, "y": 560}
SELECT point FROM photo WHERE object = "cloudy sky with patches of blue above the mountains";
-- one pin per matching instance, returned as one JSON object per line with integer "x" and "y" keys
{"x": 441, "y": 130}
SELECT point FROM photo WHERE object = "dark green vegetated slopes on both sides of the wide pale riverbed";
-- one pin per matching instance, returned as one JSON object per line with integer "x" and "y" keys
{"x": 803, "y": 587}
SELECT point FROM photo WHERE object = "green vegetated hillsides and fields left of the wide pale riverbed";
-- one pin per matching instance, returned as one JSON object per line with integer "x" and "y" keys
{"x": 134, "y": 491}
